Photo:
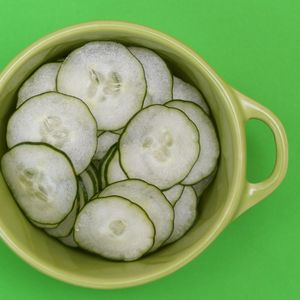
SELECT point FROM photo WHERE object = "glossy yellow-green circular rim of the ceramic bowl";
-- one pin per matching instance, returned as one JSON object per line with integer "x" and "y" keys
{"x": 232, "y": 106}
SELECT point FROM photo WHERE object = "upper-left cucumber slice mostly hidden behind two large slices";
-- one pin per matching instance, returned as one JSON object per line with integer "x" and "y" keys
{"x": 41, "y": 81}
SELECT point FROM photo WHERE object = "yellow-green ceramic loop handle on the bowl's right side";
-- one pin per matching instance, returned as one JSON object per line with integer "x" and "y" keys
{"x": 255, "y": 192}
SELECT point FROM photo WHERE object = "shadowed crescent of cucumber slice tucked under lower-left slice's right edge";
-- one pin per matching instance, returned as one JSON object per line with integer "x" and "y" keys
{"x": 66, "y": 226}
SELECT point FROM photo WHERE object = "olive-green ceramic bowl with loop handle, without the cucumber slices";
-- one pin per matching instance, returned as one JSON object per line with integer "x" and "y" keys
{"x": 229, "y": 196}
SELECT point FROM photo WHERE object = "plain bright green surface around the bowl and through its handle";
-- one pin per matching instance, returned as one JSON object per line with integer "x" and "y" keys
{"x": 255, "y": 46}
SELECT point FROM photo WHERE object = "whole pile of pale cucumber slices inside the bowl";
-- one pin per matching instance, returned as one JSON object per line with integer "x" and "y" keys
{"x": 109, "y": 151}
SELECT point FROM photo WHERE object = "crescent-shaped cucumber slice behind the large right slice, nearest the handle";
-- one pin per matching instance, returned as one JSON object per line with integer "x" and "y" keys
{"x": 209, "y": 154}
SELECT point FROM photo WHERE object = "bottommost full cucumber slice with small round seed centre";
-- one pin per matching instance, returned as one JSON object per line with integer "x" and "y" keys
{"x": 115, "y": 228}
